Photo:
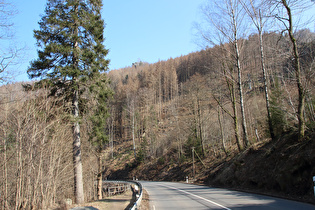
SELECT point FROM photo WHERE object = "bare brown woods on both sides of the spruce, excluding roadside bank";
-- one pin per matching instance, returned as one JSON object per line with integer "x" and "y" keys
{"x": 158, "y": 108}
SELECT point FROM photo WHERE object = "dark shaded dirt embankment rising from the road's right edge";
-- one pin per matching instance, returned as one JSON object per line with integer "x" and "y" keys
{"x": 283, "y": 168}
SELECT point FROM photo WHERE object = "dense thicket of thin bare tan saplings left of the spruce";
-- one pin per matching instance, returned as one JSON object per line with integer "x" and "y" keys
{"x": 36, "y": 158}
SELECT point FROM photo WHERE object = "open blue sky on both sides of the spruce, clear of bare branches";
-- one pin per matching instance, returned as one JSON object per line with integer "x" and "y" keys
{"x": 146, "y": 30}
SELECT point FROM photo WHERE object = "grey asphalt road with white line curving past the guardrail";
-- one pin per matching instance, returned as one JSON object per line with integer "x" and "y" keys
{"x": 169, "y": 195}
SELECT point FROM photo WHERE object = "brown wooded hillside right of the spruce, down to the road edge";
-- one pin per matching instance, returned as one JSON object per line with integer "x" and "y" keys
{"x": 163, "y": 110}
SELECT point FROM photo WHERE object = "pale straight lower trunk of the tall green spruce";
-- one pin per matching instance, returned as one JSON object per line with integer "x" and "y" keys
{"x": 77, "y": 163}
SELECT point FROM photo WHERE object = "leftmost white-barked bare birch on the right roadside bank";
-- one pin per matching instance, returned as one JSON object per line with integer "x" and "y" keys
{"x": 227, "y": 18}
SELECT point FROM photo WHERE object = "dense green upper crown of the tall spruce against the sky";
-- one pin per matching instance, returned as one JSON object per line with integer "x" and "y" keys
{"x": 70, "y": 41}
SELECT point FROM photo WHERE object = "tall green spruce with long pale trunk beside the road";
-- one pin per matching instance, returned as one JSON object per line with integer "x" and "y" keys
{"x": 71, "y": 55}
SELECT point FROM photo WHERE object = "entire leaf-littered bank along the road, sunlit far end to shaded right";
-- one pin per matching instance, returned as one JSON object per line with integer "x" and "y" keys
{"x": 282, "y": 168}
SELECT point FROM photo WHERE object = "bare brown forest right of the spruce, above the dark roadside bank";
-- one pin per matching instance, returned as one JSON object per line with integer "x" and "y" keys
{"x": 184, "y": 100}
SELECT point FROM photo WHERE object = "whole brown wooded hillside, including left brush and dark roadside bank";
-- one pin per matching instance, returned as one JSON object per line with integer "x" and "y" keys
{"x": 159, "y": 114}
